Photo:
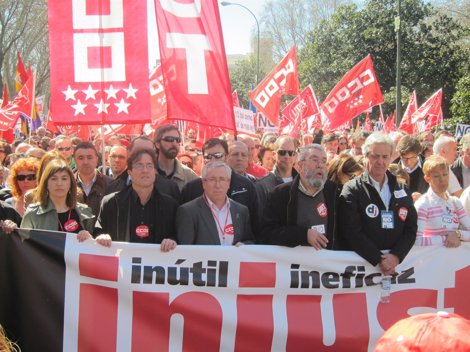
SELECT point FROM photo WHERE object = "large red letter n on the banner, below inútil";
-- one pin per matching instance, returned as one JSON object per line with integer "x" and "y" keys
{"x": 152, "y": 312}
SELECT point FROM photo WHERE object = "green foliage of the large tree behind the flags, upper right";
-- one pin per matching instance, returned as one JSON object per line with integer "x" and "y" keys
{"x": 432, "y": 55}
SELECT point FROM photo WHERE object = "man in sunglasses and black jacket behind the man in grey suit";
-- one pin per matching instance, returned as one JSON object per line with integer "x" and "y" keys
{"x": 240, "y": 188}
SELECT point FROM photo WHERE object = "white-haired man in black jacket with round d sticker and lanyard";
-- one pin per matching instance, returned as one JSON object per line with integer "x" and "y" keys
{"x": 376, "y": 211}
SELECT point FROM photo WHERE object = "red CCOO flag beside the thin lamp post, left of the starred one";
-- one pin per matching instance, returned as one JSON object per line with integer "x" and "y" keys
{"x": 283, "y": 79}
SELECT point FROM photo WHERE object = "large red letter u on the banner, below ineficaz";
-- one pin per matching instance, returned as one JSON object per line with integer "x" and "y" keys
{"x": 305, "y": 327}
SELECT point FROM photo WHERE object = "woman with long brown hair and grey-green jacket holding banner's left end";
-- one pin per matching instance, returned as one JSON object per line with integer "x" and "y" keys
{"x": 56, "y": 206}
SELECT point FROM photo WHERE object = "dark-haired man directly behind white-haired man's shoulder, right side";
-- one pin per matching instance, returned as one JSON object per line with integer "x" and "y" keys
{"x": 409, "y": 149}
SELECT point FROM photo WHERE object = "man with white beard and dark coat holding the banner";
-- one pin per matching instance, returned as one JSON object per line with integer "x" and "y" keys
{"x": 302, "y": 212}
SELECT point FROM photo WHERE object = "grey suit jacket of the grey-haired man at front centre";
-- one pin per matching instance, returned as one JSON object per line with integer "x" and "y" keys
{"x": 195, "y": 223}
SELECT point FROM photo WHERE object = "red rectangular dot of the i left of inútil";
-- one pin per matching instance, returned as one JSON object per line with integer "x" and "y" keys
{"x": 99, "y": 266}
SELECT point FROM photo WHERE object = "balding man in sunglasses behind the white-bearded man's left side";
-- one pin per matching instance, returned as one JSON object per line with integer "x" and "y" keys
{"x": 283, "y": 170}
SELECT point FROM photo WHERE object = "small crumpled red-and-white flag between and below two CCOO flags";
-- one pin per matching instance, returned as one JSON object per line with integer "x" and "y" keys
{"x": 298, "y": 110}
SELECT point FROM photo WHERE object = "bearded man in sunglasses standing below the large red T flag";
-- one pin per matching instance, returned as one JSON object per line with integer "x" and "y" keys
{"x": 168, "y": 140}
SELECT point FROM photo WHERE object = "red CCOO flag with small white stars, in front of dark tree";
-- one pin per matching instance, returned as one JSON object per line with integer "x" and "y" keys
{"x": 357, "y": 91}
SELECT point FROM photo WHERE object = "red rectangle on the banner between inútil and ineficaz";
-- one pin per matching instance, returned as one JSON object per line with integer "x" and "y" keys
{"x": 257, "y": 274}
